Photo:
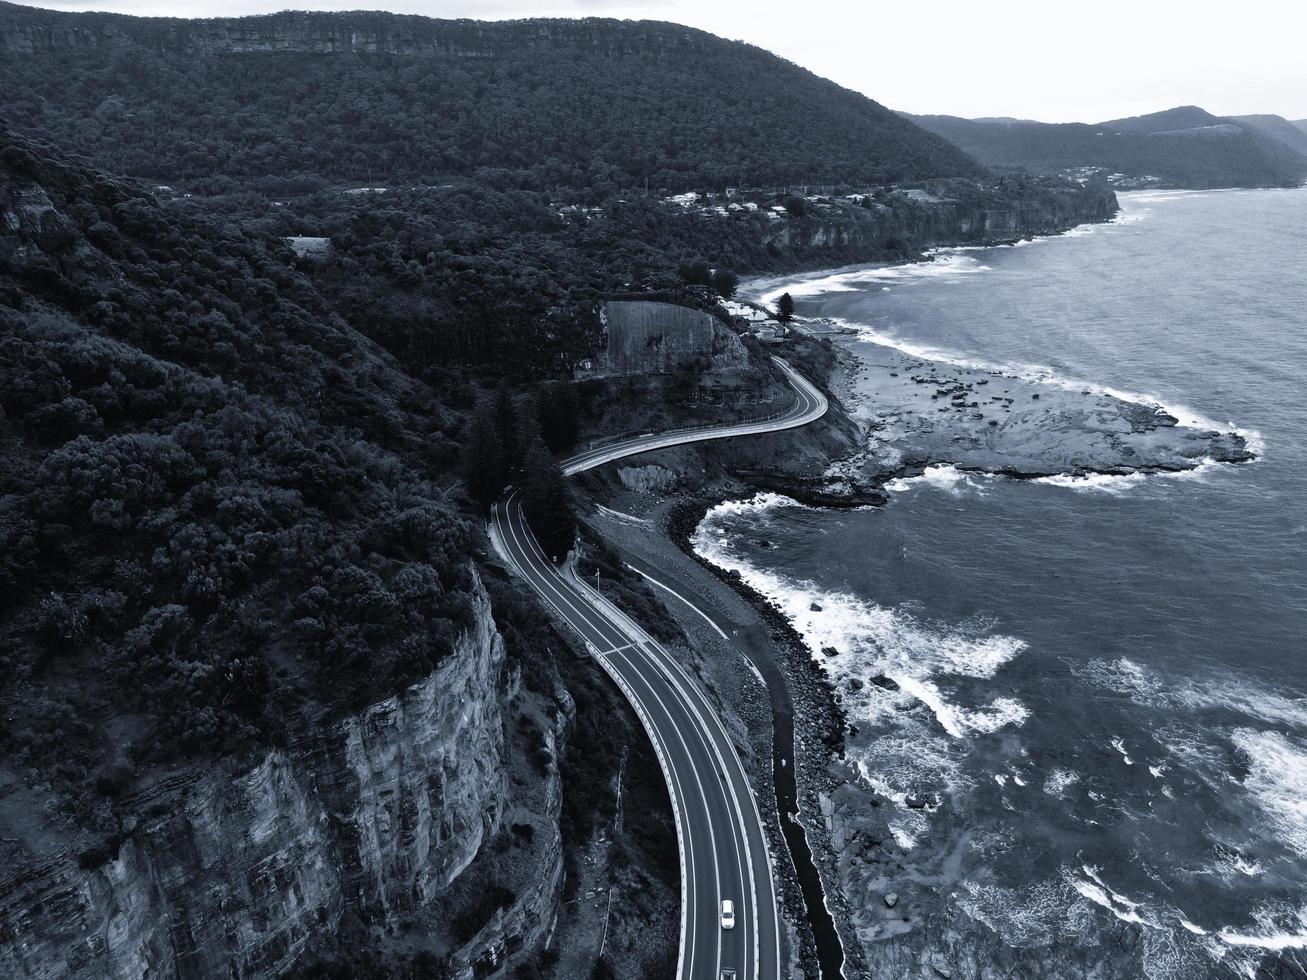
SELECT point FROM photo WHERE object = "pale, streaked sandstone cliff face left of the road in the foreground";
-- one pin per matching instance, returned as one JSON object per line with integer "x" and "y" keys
{"x": 237, "y": 874}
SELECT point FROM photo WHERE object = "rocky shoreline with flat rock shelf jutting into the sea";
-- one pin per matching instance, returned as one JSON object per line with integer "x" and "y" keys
{"x": 917, "y": 416}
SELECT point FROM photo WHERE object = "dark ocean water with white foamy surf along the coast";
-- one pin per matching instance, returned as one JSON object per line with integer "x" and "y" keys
{"x": 1101, "y": 680}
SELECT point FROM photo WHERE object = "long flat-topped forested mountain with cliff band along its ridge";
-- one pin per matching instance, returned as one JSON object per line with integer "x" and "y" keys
{"x": 380, "y": 99}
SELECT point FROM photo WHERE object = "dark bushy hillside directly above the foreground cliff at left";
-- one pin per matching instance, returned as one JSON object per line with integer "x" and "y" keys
{"x": 220, "y": 505}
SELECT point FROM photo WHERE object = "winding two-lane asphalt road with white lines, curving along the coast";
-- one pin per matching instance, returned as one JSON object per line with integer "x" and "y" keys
{"x": 721, "y": 837}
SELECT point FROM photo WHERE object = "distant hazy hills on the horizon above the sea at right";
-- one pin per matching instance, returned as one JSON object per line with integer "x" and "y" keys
{"x": 1183, "y": 147}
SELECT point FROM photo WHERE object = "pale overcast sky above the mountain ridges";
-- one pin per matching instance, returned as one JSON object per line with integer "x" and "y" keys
{"x": 1034, "y": 59}
